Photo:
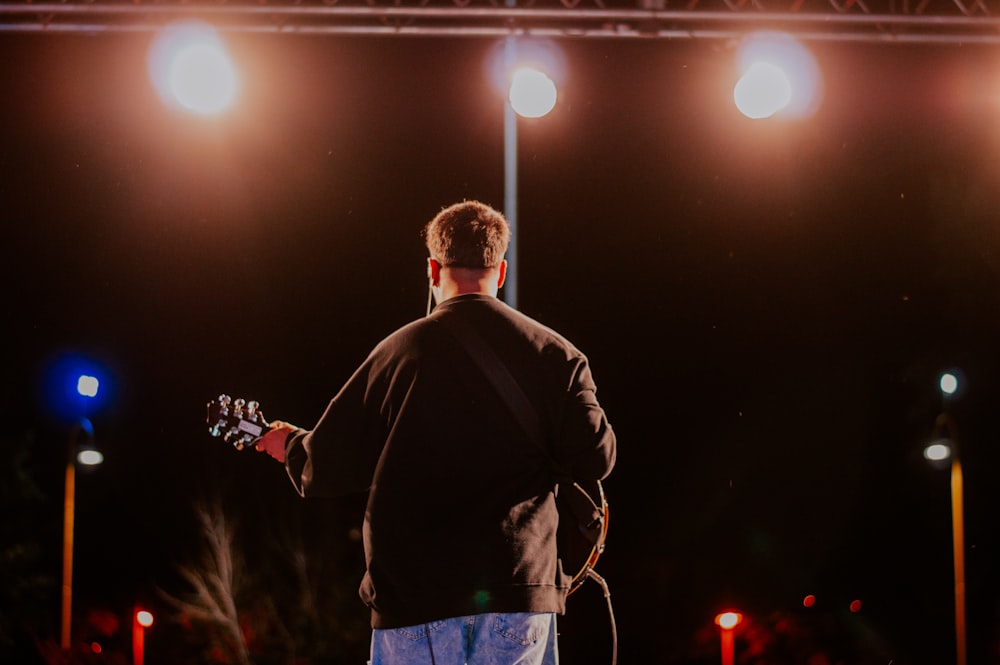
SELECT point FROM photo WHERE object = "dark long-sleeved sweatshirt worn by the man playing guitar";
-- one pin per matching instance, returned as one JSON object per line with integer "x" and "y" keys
{"x": 461, "y": 516}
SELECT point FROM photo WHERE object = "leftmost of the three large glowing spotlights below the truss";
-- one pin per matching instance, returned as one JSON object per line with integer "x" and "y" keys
{"x": 191, "y": 69}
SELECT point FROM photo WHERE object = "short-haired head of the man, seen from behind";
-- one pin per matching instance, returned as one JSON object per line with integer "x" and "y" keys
{"x": 466, "y": 242}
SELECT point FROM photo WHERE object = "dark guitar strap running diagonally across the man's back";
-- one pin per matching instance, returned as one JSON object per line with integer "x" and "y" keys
{"x": 588, "y": 513}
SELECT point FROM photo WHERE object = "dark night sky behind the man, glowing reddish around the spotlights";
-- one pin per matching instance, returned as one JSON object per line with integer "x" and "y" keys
{"x": 766, "y": 306}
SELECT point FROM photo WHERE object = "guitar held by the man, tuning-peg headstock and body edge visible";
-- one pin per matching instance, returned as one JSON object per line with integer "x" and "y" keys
{"x": 583, "y": 511}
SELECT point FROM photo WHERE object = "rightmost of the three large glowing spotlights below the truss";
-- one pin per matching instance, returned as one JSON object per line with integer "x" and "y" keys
{"x": 771, "y": 61}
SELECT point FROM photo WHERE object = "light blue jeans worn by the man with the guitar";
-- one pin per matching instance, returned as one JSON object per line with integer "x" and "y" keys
{"x": 480, "y": 639}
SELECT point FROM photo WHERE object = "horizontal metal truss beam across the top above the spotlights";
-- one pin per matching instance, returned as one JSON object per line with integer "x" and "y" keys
{"x": 889, "y": 21}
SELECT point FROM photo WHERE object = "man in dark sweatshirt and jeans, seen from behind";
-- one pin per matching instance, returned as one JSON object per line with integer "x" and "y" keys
{"x": 460, "y": 525}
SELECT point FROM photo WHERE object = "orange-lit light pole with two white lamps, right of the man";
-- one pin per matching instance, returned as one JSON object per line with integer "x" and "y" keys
{"x": 944, "y": 445}
